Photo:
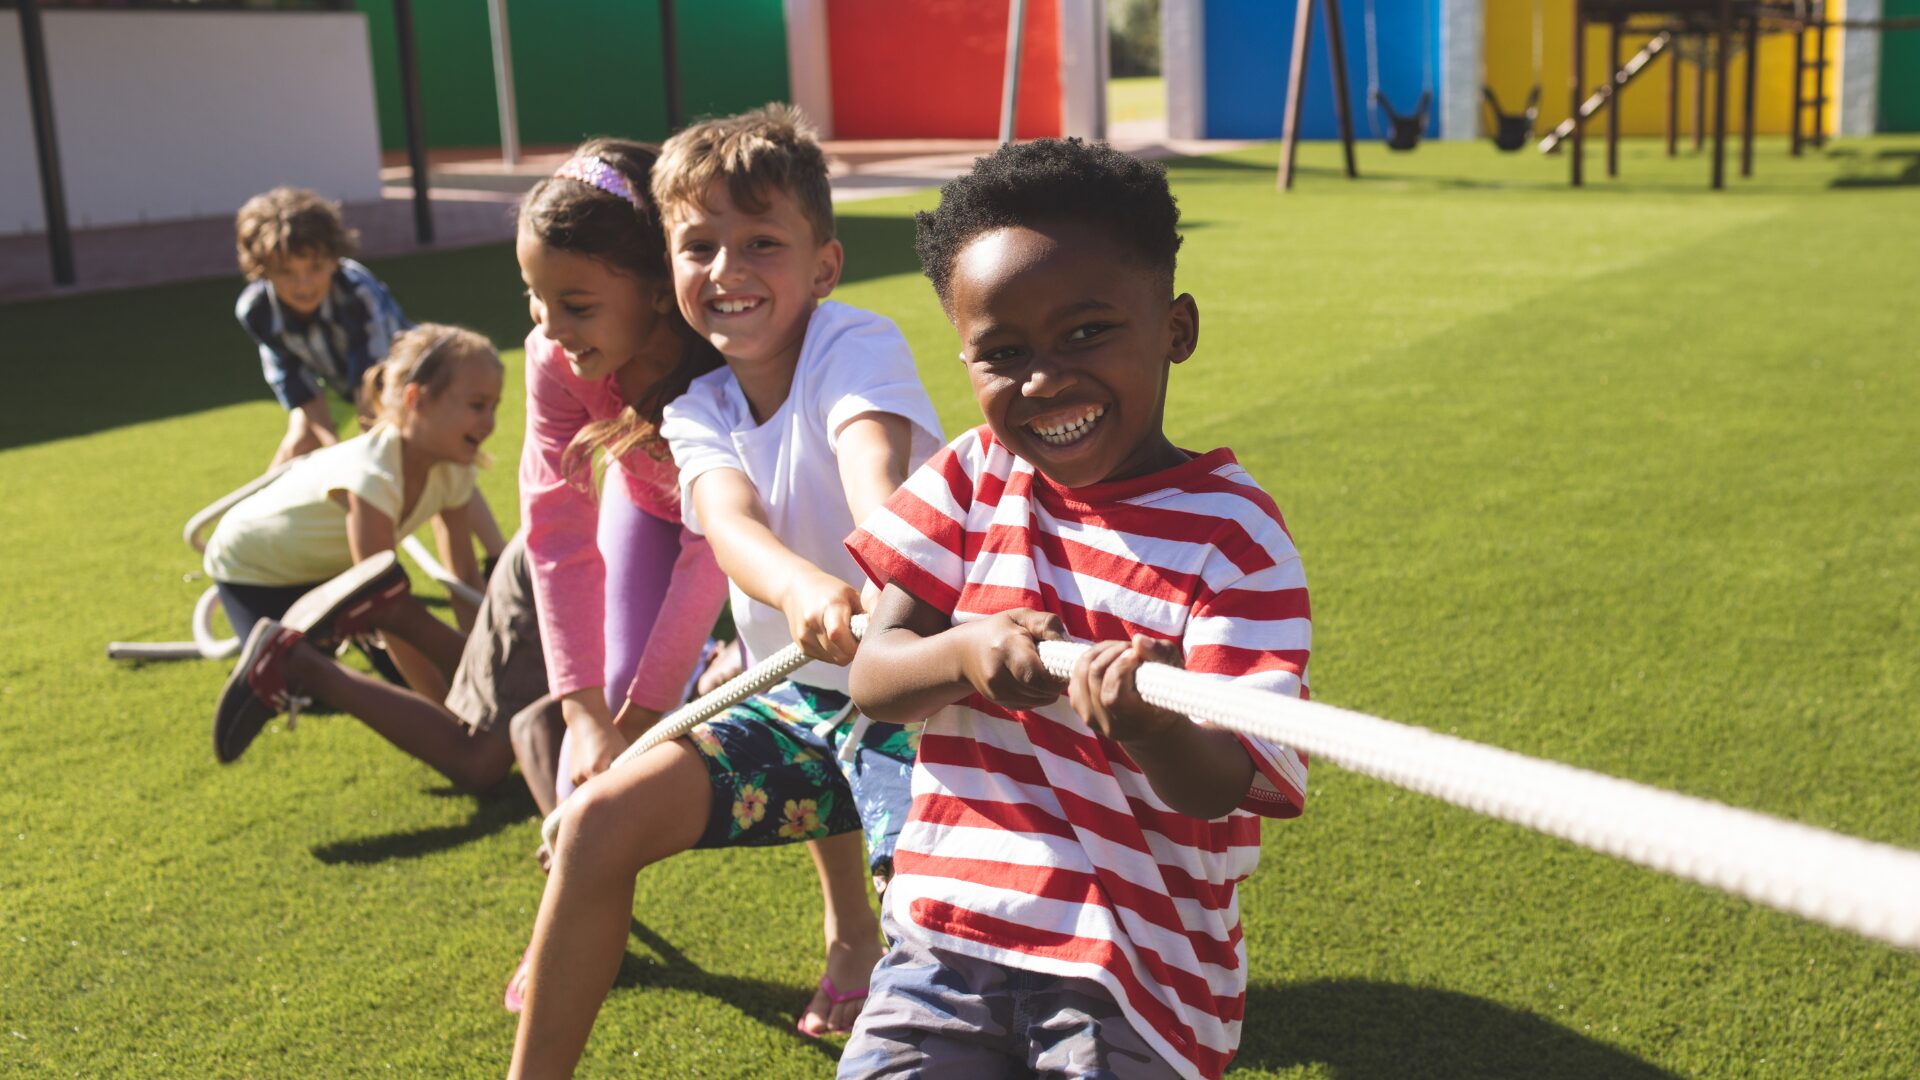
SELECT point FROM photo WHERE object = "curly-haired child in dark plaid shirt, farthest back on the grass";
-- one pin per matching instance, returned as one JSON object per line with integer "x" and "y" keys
{"x": 318, "y": 316}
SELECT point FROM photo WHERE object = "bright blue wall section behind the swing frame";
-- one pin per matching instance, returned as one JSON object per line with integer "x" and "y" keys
{"x": 1247, "y": 53}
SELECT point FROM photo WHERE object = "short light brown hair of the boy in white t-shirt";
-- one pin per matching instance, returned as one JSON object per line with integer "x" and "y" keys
{"x": 757, "y": 153}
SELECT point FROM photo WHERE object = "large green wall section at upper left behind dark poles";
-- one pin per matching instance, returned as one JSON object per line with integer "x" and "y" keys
{"x": 581, "y": 66}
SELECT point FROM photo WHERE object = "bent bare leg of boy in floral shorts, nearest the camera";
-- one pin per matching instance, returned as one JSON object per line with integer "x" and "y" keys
{"x": 613, "y": 827}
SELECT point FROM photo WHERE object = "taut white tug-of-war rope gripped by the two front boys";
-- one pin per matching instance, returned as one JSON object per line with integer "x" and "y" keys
{"x": 1827, "y": 877}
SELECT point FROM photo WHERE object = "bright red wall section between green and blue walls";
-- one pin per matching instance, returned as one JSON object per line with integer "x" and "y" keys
{"x": 934, "y": 68}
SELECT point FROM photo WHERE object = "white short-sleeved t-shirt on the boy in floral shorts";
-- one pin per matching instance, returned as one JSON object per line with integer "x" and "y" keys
{"x": 852, "y": 362}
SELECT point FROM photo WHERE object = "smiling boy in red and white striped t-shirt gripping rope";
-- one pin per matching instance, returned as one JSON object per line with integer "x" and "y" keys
{"x": 1065, "y": 893}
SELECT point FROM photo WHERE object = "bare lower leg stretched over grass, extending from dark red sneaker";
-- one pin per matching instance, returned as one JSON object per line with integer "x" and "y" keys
{"x": 410, "y": 722}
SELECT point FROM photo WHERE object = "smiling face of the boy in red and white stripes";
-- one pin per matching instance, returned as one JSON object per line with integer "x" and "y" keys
{"x": 1068, "y": 343}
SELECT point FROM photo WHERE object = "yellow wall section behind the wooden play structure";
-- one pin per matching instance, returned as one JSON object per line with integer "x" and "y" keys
{"x": 1510, "y": 72}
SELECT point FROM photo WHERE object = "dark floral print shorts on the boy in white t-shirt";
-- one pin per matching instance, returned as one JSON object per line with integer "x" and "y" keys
{"x": 779, "y": 775}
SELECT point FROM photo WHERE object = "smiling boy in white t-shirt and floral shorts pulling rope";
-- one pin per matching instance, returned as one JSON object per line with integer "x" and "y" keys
{"x": 813, "y": 424}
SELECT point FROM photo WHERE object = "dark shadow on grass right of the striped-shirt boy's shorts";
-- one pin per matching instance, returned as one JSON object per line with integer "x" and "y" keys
{"x": 1378, "y": 1031}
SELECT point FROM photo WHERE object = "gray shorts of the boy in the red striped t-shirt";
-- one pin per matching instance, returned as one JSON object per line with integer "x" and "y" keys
{"x": 936, "y": 1016}
